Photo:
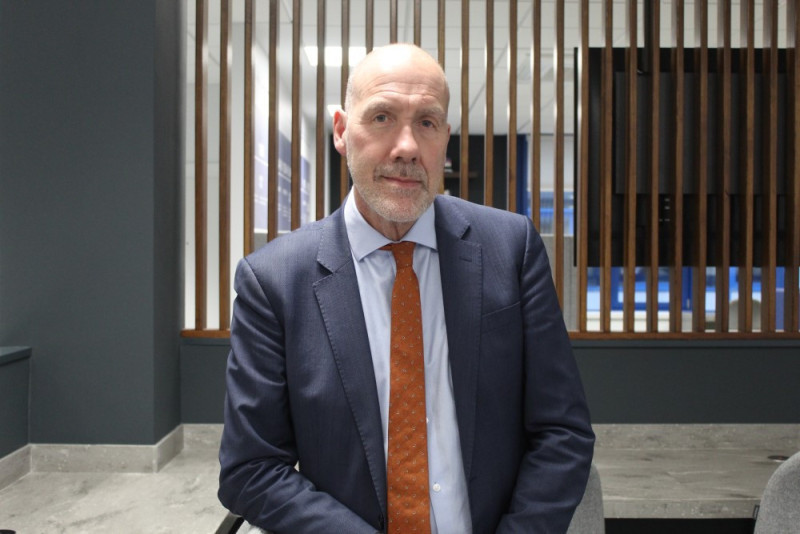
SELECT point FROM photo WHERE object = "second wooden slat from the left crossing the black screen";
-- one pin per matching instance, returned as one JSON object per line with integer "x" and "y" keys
{"x": 629, "y": 262}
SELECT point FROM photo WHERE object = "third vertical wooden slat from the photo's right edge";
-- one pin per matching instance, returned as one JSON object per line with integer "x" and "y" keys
{"x": 747, "y": 70}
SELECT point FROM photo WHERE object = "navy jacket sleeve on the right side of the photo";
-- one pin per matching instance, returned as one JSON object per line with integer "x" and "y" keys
{"x": 559, "y": 439}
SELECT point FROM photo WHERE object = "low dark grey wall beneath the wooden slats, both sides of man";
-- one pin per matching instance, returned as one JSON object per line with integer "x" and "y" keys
{"x": 625, "y": 381}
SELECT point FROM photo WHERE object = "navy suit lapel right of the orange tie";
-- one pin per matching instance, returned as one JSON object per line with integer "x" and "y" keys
{"x": 460, "y": 263}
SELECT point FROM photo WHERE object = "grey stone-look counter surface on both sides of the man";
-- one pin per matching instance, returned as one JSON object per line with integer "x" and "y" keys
{"x": 647, "y": 471}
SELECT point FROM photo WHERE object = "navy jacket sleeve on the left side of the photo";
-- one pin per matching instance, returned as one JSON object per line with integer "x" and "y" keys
{"x": 258, "y": 479}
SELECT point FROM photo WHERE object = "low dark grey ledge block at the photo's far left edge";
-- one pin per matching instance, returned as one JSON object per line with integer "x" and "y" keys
{"x": 14, "y": 396}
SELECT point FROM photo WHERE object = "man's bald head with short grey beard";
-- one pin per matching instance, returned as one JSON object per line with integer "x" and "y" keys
{"x": 394, "y": 133}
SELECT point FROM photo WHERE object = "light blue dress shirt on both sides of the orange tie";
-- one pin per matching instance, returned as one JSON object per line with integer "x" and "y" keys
{"x": 375, "y": 270}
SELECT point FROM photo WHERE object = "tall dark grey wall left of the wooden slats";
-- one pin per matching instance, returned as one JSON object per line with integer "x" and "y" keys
{"x": 90, "y": 145}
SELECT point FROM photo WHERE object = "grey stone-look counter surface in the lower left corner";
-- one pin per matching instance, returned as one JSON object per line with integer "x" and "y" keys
{"x": 179, "y": 498}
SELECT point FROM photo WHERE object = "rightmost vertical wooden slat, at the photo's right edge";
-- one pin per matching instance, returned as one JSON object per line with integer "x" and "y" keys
{"x": 791, "y": 301}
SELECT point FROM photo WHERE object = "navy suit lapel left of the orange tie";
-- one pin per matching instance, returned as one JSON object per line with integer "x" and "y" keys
{"x": 340, "y": 304}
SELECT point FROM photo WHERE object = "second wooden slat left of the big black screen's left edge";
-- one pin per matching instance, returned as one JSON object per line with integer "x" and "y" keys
{"x": 558, "y": 163}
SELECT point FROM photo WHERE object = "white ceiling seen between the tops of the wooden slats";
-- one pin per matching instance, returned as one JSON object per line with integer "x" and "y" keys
{"x": 477, "y": 71}
